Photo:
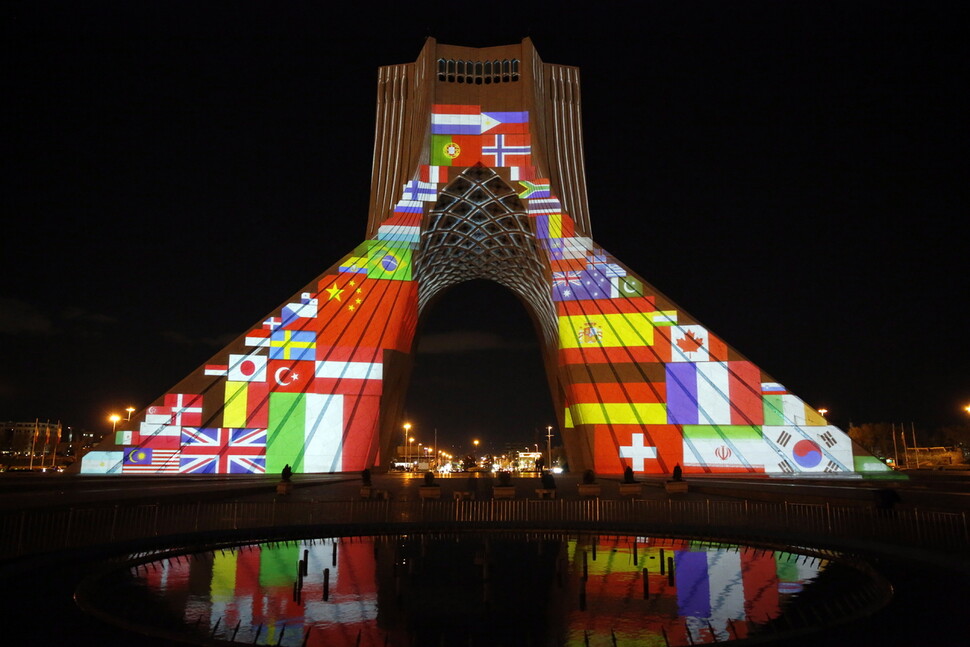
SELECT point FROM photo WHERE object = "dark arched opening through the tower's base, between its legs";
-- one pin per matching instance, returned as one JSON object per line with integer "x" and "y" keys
{"x": 478, "y": 373}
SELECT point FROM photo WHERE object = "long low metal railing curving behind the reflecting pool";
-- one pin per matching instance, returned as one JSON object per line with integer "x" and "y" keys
{"x": 821, "y": 525}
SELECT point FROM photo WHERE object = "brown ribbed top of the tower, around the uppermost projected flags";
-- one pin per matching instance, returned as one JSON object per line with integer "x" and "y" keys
{"x": 509, "y": 78}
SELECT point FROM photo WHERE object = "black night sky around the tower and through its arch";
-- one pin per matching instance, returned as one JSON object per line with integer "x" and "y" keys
{"x": 789, "y": 173}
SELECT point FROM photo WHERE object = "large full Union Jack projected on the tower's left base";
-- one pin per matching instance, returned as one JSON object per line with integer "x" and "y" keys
{"x": 223, "y": 451}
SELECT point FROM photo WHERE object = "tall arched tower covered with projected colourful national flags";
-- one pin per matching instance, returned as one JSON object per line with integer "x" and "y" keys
{"x": 478, "y": 174}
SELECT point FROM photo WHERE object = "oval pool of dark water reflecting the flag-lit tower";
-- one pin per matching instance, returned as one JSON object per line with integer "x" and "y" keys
{"x": 484, "y": 589}
